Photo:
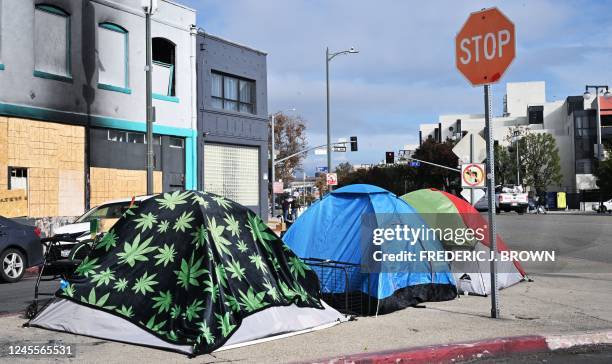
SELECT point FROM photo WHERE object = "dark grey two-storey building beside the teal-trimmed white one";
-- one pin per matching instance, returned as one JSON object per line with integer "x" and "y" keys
{"x": 233, "y": 121}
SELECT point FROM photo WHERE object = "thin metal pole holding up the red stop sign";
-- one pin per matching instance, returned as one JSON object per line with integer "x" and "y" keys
{"x": 491, "y": 201}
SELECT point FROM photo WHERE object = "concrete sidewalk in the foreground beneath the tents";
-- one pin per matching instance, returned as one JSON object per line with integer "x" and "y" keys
{"x": 552, "y": 304}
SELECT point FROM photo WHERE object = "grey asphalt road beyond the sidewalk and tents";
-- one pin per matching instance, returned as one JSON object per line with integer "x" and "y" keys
{"x": 582, "y": 243}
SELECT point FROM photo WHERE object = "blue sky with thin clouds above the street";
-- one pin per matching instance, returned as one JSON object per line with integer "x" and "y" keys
{"x": 404, "y": 74}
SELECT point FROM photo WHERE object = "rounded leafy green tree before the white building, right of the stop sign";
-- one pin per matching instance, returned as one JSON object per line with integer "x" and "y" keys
{"x": 540, "y": 161}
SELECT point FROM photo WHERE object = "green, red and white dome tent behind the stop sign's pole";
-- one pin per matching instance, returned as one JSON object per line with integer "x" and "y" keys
{"x": 444, "y": 210}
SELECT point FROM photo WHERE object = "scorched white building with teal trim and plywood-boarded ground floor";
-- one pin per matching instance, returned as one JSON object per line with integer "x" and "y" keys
{"x": 72, "y": 101}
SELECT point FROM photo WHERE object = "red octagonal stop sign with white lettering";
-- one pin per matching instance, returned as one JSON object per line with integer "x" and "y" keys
{"x": 485, "y": 46}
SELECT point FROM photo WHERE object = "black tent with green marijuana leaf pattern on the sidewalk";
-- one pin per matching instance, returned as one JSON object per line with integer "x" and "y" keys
{"x": 190, "y": 272}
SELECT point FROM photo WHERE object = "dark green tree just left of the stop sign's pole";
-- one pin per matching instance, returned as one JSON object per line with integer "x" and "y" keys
{"x": 439, "y": 153}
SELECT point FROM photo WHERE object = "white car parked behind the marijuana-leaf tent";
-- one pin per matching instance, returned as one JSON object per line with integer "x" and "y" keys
{"x": 107, "y": 214}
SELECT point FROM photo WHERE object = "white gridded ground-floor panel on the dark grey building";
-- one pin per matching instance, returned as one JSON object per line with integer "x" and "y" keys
{"x": 232, "y": 171}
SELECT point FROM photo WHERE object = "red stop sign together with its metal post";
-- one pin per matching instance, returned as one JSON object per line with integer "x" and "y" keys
{"x": 484, "y": 48}
